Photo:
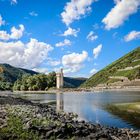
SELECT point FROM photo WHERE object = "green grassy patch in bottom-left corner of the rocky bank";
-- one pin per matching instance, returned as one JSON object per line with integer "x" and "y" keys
{"x": 15, "y": 130}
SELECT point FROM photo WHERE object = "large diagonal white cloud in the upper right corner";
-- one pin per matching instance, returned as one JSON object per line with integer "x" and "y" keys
{"x": 122, "y": 10}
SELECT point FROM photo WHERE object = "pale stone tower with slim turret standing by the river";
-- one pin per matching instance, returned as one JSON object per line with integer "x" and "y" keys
{"x": 59, "y": 79}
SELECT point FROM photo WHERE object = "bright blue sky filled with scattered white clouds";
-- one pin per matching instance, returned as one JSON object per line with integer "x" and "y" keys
{"x": 80, "y": 36}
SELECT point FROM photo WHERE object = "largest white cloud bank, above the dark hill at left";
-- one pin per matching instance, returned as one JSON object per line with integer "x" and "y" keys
{"x": 28, "y": 55}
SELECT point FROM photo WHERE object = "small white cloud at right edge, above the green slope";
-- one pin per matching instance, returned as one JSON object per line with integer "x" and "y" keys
{"x": 132, "y": 36}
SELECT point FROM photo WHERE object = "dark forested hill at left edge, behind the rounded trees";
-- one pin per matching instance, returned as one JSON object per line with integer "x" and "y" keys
{"x": 10, "y": 74}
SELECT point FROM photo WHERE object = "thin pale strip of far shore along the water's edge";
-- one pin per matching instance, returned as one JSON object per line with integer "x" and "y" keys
{"x": 79, "y": 90}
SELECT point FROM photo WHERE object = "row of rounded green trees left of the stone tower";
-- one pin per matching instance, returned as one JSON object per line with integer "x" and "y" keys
{"x": 35, "y": 82}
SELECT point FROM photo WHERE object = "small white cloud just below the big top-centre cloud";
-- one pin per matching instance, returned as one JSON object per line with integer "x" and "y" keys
{"x": 71, "y": 32}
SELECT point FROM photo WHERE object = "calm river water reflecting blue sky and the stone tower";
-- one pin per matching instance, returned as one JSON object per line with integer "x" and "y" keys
{"x": 91, "y": 106}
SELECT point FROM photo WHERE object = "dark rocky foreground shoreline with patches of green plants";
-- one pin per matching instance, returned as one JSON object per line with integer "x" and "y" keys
{"x": 23, "y": 120}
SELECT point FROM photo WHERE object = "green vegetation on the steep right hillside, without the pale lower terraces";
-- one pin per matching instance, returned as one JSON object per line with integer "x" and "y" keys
{"x": 102, "y": 77}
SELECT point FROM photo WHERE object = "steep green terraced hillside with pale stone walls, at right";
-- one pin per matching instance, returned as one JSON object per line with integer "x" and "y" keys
{"x": 124, "y": 71}
